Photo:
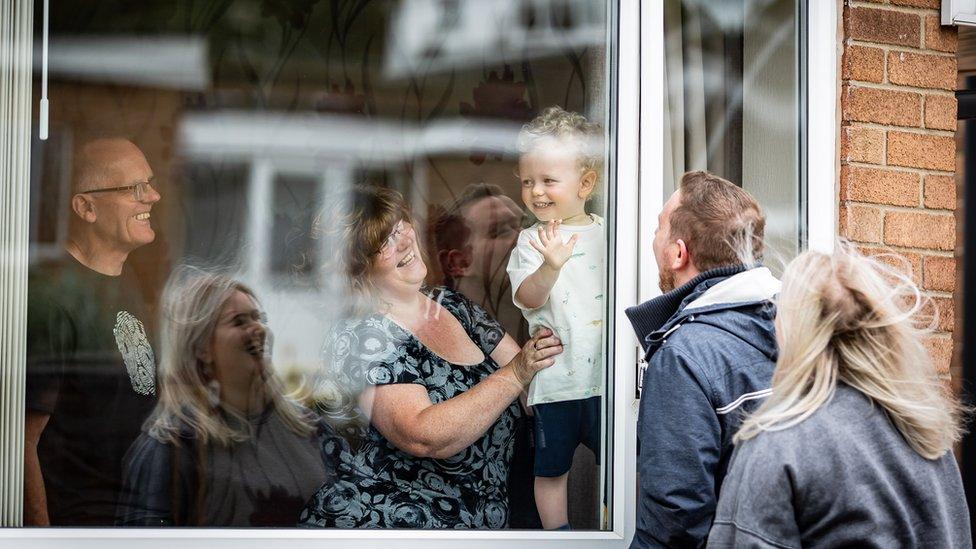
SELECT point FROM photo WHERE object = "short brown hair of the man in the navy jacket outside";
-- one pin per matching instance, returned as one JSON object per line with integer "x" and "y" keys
{"x": 720, "y": 223}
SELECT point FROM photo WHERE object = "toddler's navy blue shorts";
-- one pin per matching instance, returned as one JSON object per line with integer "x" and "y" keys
{"x": 559, "y": 428}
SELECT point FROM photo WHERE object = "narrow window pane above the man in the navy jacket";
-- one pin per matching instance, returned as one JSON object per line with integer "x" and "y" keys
{"x": 732, "y": 104}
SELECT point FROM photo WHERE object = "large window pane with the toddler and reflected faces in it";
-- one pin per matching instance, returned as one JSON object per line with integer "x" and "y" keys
{"x": 295, "y": 264}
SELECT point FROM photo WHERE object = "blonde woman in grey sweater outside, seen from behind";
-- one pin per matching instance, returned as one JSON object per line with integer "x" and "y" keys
{"x": 853, "y": 447}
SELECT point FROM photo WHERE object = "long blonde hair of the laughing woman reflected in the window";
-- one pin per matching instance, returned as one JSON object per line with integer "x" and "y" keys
{"x": 191, "y": 305}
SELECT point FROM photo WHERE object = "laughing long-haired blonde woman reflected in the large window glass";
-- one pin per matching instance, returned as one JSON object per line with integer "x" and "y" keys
{"x": 225, "y": 445}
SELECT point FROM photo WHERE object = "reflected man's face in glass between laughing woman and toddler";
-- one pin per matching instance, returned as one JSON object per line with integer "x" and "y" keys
{"x": 494, "y": 222}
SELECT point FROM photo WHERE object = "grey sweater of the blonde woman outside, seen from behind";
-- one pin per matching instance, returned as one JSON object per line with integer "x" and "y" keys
{"x": 843, "y": 477}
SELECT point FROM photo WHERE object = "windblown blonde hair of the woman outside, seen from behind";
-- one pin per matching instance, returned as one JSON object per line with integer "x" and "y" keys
{"x": 848, "y": 318}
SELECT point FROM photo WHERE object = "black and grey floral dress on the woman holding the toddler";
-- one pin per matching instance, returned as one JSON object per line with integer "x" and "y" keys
{"x": 379, "y": 486}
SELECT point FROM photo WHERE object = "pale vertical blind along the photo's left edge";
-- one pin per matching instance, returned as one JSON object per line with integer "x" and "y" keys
{"x": 15, "y": 121}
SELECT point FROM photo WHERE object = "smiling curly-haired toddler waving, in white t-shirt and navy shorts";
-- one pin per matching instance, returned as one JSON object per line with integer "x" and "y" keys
{"x": 557, "y": 272}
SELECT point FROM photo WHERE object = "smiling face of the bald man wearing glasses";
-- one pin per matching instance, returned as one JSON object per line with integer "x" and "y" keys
{"x": 120, "y": 220}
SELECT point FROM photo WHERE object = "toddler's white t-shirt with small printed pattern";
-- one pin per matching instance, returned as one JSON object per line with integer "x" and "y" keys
{"x": 574, "y": 311}
